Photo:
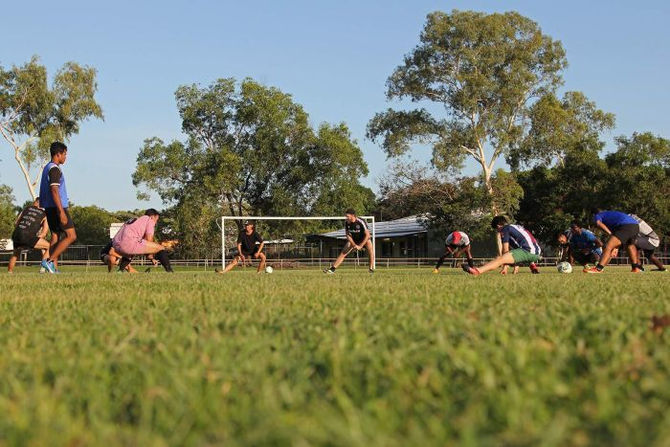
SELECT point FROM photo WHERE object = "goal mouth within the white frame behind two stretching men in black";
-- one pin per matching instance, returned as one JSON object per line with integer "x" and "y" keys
{"x": 295, "y": 242}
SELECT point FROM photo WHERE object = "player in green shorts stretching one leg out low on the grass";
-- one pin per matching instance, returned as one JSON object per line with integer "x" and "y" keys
{"x": 519, "y": 247}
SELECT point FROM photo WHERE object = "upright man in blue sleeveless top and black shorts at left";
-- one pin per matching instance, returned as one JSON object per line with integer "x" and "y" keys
{"x": 54, "y": 200}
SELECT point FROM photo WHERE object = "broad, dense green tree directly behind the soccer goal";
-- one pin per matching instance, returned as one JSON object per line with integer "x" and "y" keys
{"x": 250, "y": 150}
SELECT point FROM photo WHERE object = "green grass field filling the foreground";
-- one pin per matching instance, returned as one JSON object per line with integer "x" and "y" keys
{"x": 299, "y": 358}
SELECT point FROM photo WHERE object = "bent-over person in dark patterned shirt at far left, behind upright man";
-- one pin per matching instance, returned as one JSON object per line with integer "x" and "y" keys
{"x": 30, "y": 230}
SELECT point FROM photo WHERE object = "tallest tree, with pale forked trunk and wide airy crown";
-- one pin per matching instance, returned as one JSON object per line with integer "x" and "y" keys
{"x": 484, "y": 70}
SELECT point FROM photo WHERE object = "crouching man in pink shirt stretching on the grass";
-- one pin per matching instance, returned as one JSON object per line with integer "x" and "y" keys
{"x": 136, "y": 237}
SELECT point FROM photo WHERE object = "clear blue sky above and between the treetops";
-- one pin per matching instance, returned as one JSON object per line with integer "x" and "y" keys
{"x": 333, "y": 57}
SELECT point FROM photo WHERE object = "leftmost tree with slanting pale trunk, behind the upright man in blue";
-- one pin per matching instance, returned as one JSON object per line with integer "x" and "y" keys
{"x": 33, "y": 114}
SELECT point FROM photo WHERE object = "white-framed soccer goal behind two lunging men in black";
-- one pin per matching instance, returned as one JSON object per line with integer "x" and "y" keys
{"x": 281, "y": 232}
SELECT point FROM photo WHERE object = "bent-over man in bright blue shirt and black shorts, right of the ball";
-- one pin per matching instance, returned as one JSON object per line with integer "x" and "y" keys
{"x": 623, "y": 230}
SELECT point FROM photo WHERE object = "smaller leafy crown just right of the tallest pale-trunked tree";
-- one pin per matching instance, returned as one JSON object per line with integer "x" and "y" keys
{"x": 572, "y": 125}
